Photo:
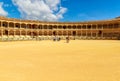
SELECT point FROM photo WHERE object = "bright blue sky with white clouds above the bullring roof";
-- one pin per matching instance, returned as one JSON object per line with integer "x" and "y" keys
{"x": 62, "y": 10}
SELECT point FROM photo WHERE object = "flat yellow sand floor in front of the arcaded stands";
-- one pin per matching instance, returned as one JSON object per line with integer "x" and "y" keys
{"x": 79, "y": 60}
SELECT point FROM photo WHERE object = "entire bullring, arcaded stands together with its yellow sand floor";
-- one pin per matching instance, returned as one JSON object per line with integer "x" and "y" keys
{"x": 28, "y": 53}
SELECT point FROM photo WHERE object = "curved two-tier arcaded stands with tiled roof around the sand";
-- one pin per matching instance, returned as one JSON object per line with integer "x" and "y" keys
{"x": 16, "y": 29}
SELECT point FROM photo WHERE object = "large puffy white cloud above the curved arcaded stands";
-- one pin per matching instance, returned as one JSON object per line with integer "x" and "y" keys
{"x": 47, "y": 10}
